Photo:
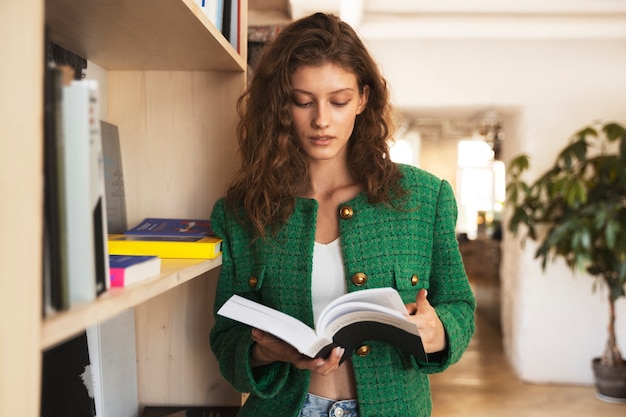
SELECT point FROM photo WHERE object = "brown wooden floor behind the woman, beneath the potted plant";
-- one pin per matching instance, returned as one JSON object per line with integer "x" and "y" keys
{"x": 482, "y": 384}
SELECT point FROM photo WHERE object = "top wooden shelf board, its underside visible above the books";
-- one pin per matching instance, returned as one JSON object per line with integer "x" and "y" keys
{"x": 142, "y": 35}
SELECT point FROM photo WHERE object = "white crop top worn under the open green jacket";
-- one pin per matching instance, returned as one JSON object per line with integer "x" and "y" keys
{"x": 328, "y": 277}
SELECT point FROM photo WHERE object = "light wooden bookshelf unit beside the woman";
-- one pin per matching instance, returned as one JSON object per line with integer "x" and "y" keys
{"x": 172, "y": 82}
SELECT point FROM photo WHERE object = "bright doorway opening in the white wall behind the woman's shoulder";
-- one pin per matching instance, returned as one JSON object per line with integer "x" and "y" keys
{"x": 465, "y": 146}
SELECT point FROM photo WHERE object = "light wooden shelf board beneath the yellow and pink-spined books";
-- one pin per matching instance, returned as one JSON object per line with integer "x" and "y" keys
{"x": 174, "y": 272}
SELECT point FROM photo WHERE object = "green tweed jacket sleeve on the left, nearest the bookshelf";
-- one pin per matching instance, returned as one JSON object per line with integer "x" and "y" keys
{"x": 231, "y": 341}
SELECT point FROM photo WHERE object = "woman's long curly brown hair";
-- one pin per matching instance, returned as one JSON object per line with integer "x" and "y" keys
{"x": 274, "y": 170}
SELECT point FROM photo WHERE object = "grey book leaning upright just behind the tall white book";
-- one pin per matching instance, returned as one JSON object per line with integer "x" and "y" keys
{"x": 113, "y": 178}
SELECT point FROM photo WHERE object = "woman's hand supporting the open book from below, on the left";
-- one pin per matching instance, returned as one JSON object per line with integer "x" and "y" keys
{"x": 268, "y": 348}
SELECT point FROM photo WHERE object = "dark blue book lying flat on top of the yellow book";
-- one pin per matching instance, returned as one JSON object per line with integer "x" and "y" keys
{"x": 172, "y": 228}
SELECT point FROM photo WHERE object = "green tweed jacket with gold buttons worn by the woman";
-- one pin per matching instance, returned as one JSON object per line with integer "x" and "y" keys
{"x": 406, "y": 249}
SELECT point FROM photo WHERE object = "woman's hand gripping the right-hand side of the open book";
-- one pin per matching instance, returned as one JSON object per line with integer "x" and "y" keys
{"x": 425, "y": 317}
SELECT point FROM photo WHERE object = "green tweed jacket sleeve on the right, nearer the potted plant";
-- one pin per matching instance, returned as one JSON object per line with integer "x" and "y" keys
{"x": 449, "y": 293}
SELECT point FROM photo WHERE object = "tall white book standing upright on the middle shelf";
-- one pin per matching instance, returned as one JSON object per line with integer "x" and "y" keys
{"x": 82, "y": 194}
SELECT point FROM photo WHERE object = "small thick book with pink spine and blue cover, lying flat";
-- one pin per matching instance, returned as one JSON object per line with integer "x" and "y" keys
{"x": 130, "y": 269}
